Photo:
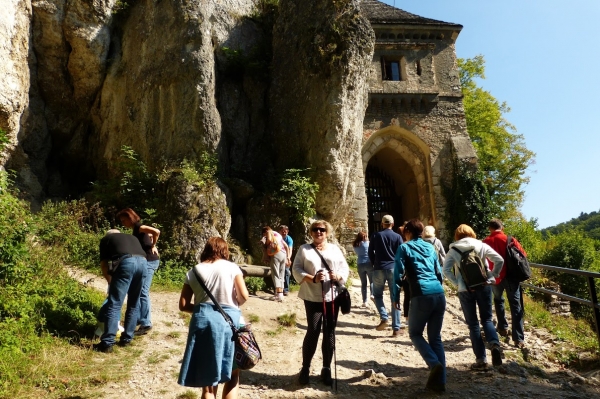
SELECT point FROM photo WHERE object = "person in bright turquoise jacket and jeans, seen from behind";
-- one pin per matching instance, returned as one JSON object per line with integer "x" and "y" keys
{"x": 417, "y": 261}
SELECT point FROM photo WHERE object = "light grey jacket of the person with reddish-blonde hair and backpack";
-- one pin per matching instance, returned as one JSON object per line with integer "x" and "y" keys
{"x": 484, "y": 251}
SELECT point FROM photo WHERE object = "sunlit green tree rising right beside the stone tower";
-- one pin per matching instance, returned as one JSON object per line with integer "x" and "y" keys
{"x": 503, "y": 156}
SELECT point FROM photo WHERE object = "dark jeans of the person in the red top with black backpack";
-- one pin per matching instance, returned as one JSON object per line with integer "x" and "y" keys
{"x": 513, "y": 293}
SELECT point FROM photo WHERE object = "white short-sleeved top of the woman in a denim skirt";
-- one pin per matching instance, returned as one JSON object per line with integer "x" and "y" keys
{"x": 219, "y": 278}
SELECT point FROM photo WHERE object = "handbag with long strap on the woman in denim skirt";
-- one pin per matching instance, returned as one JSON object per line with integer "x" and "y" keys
{"x": 247, "y": 353}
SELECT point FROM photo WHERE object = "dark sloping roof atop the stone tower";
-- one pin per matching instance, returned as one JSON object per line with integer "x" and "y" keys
{"x": 381, "y": 13}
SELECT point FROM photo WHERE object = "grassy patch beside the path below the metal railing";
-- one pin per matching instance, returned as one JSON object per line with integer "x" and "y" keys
{"x": 578, "y": 333}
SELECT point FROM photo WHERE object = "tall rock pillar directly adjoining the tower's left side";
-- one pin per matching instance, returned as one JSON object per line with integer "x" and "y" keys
{"x": 321, "y": 54}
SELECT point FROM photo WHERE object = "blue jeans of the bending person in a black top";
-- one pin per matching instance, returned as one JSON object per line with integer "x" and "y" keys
{"x": 126, "y": 280}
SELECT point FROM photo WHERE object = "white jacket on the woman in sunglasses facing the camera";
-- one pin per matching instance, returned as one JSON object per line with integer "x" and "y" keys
{"x": 308, "y": 262}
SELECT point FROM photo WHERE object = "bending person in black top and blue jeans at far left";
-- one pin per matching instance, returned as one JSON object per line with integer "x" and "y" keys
{"x": 123, "y": 264}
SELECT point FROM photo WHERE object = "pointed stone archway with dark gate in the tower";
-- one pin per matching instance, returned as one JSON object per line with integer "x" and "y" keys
{"x": 398, "y": 179}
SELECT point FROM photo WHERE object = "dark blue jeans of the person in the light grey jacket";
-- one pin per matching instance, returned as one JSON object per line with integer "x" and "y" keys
{"x": 470, "y": 301}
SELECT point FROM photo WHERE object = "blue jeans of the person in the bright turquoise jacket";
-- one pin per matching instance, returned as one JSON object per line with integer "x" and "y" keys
{"x": 428, "y": 310}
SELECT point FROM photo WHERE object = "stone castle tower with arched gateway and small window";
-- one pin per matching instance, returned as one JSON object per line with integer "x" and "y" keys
{"x": 414, "y": 123}
